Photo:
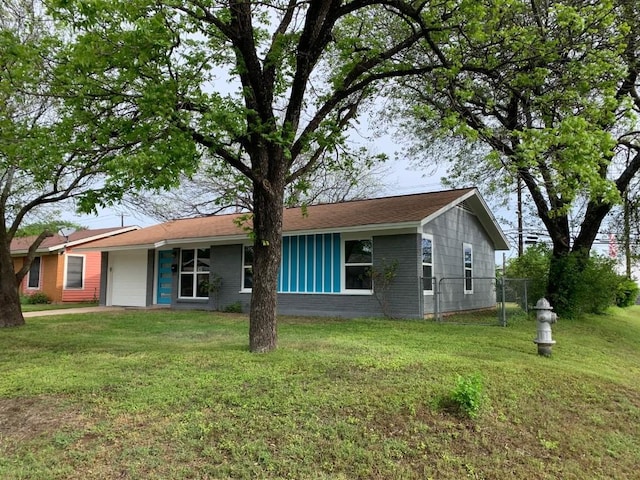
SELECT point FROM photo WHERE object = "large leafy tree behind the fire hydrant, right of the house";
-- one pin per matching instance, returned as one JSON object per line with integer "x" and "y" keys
{"x": 551, "y": 88}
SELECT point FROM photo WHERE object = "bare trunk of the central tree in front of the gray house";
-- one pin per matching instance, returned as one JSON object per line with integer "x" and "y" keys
{"x": 267, "y": 228}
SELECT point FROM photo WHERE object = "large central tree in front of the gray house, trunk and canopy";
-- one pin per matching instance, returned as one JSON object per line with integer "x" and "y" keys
{"x": 258, "y": 86}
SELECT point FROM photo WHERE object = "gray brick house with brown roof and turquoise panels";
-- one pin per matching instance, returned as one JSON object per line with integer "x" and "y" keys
{"x": 326, "y": 253}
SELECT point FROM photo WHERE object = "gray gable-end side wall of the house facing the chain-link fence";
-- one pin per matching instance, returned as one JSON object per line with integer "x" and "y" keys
{"x": 450, "y": 231}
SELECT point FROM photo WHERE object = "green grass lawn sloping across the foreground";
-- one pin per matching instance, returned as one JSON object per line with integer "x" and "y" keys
{"x": 177, "y": 395}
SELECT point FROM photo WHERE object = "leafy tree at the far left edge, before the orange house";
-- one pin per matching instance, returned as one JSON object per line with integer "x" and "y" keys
{"x": 48, "y": 156}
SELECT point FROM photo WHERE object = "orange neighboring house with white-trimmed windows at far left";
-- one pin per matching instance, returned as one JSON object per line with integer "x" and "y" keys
{"x": 60, "y": 272}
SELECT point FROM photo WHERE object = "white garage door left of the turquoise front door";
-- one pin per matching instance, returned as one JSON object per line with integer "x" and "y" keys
{"x": 127, "y": 279}
